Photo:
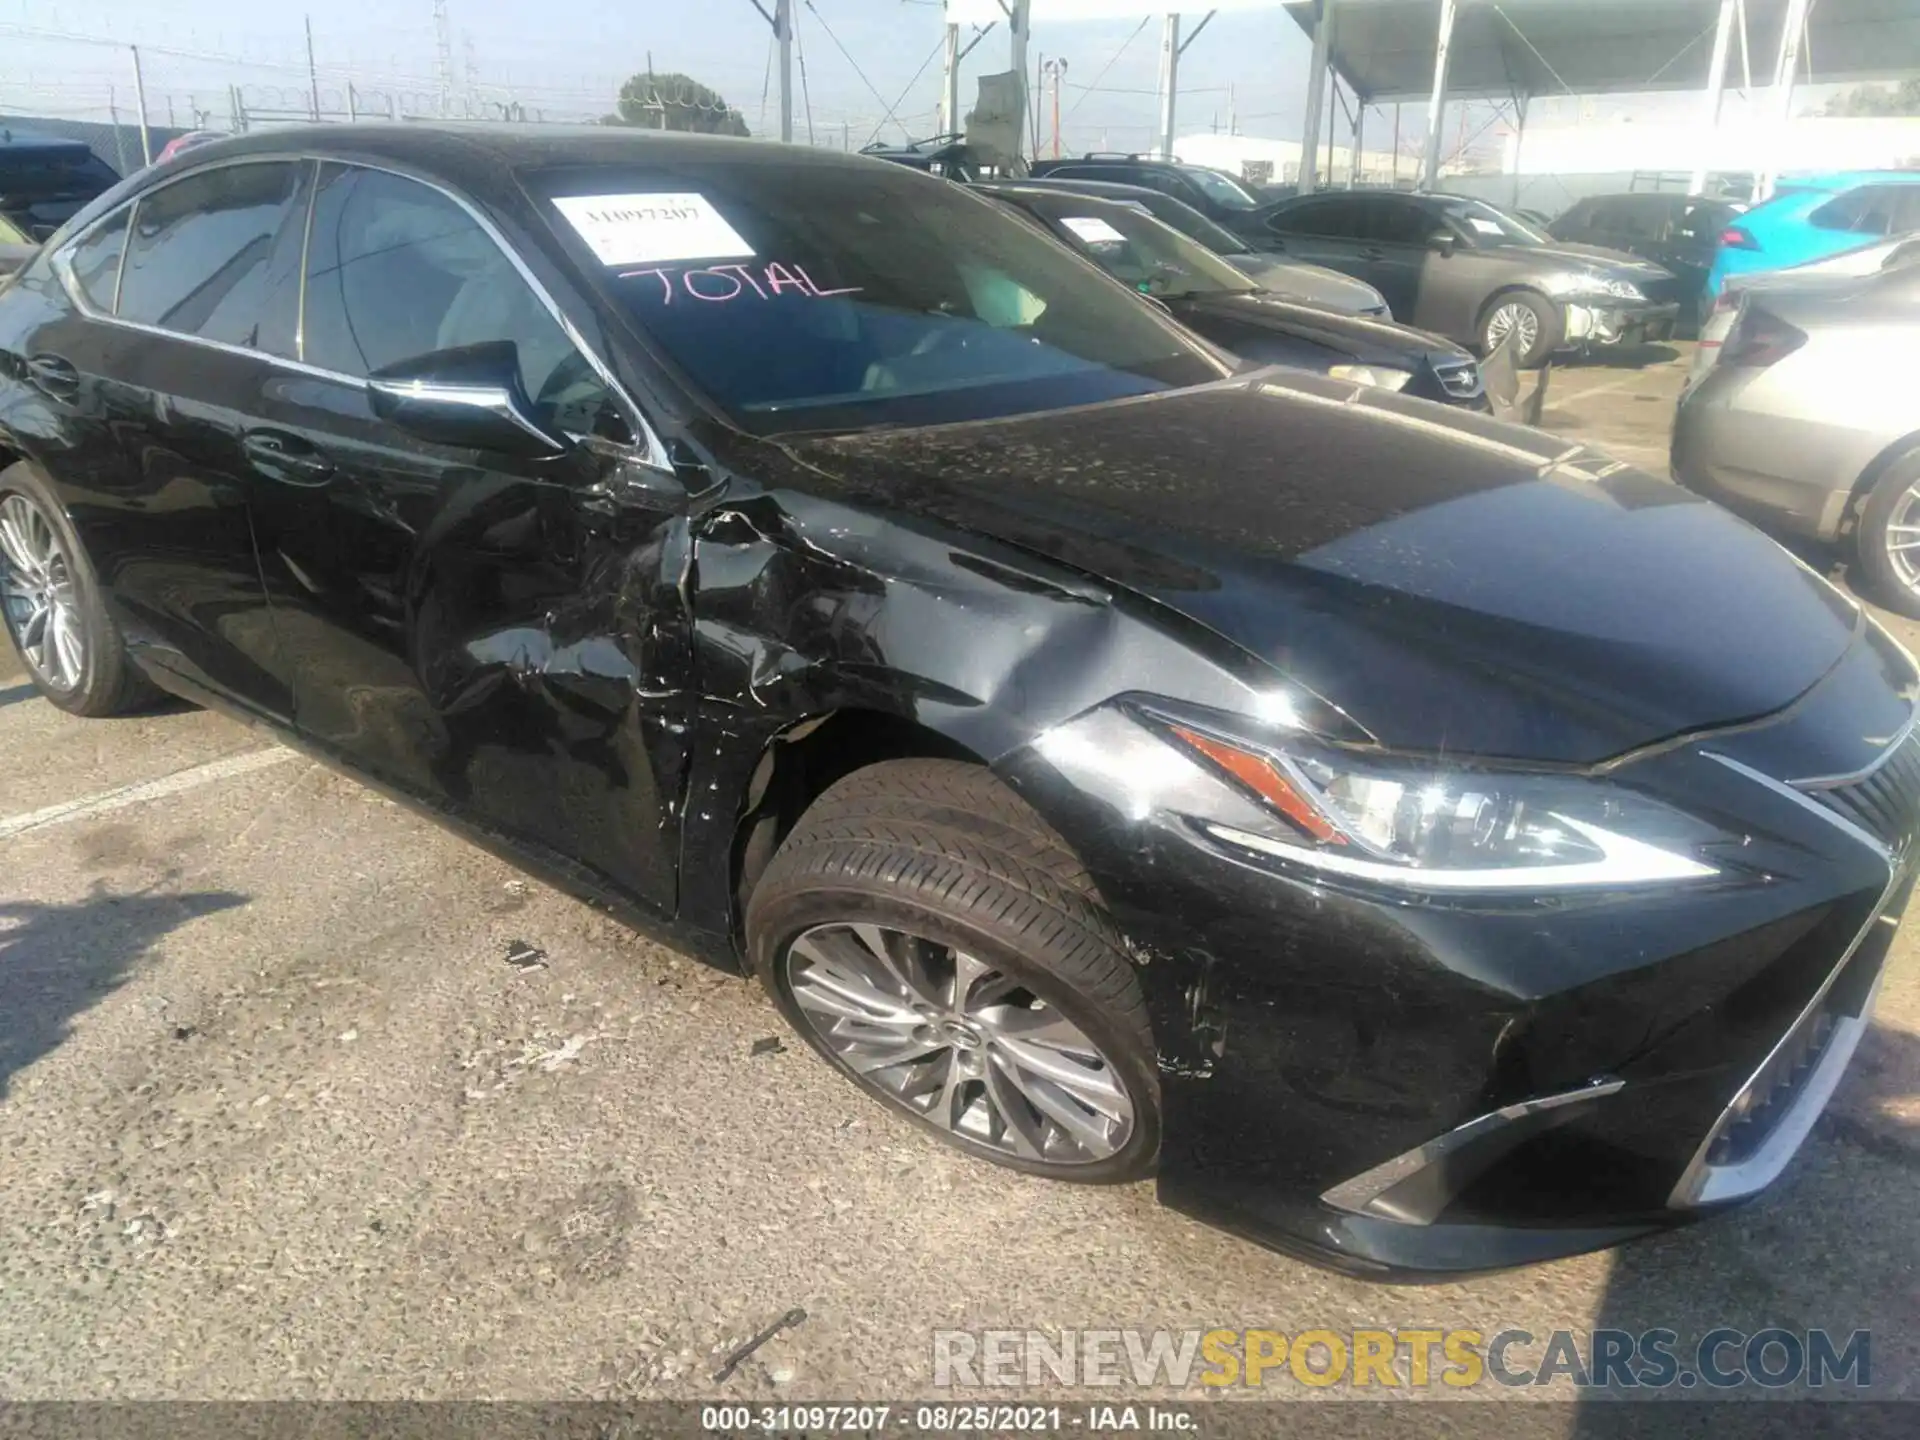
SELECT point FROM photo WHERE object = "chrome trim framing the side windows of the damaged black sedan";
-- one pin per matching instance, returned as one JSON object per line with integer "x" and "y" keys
{"x": 652, "y": 446}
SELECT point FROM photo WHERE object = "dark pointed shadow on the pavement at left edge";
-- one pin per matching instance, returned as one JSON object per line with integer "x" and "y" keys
{"x": 59, "y": 961}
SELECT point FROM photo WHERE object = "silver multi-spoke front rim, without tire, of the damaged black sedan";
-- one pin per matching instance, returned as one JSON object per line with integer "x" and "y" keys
{"x": 959, "y": 1044}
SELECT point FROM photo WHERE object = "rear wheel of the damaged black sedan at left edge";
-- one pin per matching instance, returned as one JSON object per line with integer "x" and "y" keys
{"x": 53, "y": 606}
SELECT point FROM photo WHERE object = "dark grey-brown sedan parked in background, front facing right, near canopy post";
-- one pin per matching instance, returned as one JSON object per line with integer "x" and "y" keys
{"x": 1479, "y": 276}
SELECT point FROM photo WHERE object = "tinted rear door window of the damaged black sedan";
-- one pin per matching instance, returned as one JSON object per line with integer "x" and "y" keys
{"x": 197, "y": 260}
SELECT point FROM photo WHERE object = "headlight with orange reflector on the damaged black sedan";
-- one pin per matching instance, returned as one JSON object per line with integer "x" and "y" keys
{"x": 1414, "y": 825}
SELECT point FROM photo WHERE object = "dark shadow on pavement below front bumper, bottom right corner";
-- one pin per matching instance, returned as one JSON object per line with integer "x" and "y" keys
{"x": 1831, "y": 1247}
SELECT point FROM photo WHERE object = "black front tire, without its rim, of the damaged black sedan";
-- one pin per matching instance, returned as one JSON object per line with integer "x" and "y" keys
{"x": 946, "y": 852}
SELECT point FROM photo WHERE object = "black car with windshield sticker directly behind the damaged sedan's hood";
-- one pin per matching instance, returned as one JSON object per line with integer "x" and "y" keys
{"x": 1234, "y": 312}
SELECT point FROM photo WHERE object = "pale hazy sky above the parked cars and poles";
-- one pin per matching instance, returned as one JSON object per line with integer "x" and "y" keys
{"x": 567, "y": 59}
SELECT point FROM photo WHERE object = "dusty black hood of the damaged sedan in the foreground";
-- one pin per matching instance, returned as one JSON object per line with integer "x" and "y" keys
{"x": 1452, "y": 583}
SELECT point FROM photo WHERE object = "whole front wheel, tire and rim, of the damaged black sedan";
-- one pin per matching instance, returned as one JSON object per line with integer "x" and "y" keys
{"x": 928, "y": 934}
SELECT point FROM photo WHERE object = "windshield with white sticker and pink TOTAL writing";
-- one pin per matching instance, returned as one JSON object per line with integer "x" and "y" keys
{"x": 827, "y": 297}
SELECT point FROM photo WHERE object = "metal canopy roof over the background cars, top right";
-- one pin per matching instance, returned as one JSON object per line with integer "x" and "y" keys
{"x": 1385, "y": 49}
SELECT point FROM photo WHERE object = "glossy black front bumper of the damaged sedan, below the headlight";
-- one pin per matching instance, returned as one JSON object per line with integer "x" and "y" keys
{"x": 1420, "y": 1088}
